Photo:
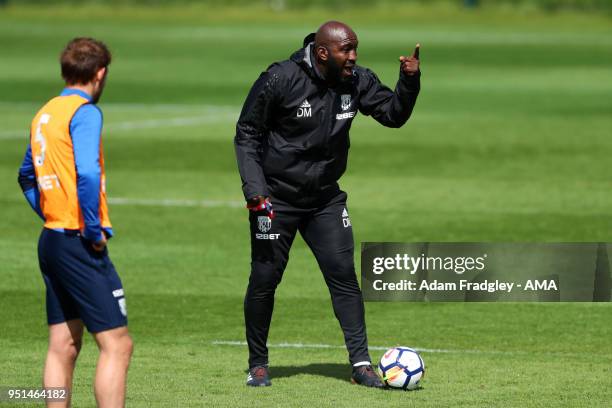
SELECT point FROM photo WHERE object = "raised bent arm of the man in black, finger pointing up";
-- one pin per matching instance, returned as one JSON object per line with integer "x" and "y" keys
{"x": 392, "y": 108}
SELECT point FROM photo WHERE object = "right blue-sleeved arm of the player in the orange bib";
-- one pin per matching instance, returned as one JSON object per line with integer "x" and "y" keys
{"x": 85, "y": 130}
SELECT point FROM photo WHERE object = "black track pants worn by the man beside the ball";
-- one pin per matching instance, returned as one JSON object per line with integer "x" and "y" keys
{"x": 328, "y": 233}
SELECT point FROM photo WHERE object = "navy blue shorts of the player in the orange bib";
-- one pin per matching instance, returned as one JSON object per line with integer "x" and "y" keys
{"x": 81, "y": 282}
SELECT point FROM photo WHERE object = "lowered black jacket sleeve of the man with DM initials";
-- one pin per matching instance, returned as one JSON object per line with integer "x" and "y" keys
{"x": 251, "y": 129}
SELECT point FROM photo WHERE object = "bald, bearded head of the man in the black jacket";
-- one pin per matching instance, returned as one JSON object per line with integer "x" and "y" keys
{"x": 335, "y": 49}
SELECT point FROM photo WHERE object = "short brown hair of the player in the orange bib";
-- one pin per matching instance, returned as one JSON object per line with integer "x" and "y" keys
{"x": 82, "y": 58}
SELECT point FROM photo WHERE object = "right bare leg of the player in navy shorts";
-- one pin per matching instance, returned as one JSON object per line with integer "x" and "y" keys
{"x": 111, "y": 373}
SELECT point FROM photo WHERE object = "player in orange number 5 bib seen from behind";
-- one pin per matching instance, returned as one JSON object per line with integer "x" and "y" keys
{"x": 63, "y": 179}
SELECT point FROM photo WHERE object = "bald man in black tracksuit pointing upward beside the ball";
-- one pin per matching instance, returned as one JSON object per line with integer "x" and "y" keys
{"x": 292, "y": 141}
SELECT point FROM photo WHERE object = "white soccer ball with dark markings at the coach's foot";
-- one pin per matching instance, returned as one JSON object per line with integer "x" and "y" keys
{"x": 401, "y": 367}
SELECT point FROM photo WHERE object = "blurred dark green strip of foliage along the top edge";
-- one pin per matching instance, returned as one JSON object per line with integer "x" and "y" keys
{"x": 548, "y": 5}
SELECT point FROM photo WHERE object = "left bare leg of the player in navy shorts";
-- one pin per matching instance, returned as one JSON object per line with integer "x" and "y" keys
{"x": 65, "y": 341}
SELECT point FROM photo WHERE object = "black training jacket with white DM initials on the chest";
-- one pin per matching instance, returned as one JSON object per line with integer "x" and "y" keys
{"x": 292, "y": 137}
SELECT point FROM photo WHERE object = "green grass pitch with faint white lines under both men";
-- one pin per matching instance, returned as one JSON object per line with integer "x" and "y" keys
{"x": 509, "y": 141}
